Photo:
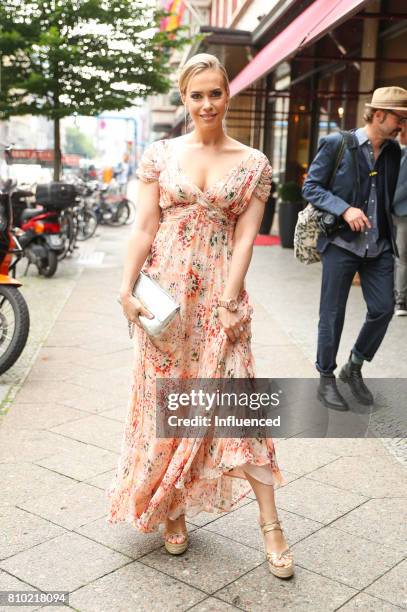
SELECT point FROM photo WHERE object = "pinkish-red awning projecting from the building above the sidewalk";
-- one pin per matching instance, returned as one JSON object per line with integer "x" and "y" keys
{"x": 313, "y": 23}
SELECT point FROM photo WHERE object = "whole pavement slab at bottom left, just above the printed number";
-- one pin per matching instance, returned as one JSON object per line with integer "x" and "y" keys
{"x": 64, "y": 563}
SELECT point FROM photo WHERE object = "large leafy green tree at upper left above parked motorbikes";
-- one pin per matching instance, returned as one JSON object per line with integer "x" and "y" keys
{"x": 61, "y": 57}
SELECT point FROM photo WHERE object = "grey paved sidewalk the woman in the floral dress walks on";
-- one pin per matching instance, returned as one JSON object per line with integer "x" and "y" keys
{"x": 343, "y": 506}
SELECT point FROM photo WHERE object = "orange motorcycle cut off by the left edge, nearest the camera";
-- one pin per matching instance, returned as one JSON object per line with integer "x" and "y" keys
{"x": 14, "y": 314}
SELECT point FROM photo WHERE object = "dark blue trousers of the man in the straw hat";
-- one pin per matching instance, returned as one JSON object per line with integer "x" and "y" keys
{"x": 339, "y": 266}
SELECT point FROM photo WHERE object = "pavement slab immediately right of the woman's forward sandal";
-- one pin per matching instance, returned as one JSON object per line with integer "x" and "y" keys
{"x": 347, "y": 558}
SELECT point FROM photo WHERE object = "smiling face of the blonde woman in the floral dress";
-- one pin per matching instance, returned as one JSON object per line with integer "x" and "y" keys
{"x": 206, "y": 99}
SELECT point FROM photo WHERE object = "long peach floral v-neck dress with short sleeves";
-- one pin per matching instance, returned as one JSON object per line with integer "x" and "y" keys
{"x": 190, "y": 258}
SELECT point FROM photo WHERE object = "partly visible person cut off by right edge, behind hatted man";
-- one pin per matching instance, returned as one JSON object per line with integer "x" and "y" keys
{"x": 400, "y": 221}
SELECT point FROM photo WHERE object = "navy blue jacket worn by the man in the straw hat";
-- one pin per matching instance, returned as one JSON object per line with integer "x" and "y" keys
{"x": 343, "y": 191}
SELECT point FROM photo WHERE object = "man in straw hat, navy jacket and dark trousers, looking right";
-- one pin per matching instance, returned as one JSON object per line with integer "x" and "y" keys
{"x": 361, "y": 196}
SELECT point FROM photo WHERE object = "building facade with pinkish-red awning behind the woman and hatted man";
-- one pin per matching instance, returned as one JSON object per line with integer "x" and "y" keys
{"x": 299, "y": 69}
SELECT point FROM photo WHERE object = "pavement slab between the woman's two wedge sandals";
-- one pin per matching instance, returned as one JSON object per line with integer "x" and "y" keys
{"x": 210, "y": 563}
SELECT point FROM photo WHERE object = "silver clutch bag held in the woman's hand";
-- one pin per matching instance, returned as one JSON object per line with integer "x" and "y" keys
{"x": 157, "y": 301}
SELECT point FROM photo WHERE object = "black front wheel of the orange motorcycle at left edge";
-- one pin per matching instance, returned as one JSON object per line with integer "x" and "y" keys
{"x": 14, "y": 325}
